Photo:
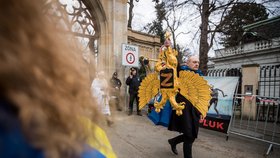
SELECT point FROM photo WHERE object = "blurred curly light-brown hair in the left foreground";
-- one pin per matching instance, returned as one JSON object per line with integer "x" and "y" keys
{"x": 41, "y": 76}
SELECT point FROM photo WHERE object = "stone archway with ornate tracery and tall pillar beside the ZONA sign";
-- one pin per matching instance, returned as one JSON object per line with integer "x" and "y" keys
{"x": 101, "y": 26}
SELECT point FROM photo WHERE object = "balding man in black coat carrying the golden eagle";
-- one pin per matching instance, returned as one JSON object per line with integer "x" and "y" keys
{"x": 188, "y": 123}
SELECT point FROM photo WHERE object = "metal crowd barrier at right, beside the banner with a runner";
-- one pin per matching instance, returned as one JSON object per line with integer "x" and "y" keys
{"x": 254, "y": 122}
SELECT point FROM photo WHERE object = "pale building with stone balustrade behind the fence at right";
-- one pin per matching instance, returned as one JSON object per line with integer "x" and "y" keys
{"x": 263, "y": 55}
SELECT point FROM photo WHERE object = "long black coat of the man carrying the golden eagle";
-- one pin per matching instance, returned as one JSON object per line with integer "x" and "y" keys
{"x": 188, "y": 122}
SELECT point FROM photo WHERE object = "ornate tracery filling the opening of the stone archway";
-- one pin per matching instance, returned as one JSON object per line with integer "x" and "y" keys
{"x": 74, "y": 17}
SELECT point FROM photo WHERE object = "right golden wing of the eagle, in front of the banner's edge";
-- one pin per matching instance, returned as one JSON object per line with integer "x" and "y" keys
{"x": 196, "y": 89}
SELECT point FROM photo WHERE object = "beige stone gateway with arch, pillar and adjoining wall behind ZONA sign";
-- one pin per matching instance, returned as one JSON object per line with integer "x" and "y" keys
{"x": 100, "y": 26}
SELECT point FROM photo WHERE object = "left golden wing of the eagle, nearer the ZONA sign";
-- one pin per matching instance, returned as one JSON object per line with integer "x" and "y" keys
{"x": 148, "y": 89}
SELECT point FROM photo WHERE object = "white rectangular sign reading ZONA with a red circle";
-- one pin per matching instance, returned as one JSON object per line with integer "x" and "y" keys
{"x": 130, "y": 55}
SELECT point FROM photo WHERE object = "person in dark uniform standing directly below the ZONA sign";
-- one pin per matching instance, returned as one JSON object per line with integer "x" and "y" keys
{"x": 133, "y": 81}
